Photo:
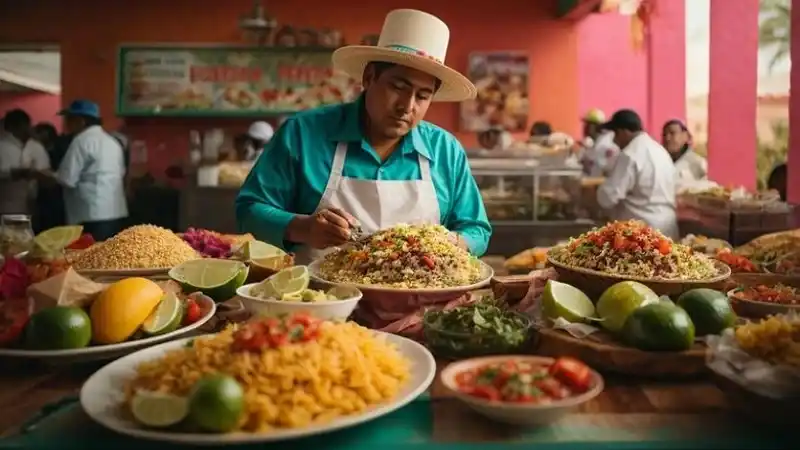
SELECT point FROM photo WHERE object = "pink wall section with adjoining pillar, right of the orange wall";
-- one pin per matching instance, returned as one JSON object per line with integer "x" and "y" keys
{"x": 613, "y": 75}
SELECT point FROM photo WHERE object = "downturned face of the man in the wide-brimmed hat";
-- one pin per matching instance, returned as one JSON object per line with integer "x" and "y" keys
{"x": 397, "y": 99}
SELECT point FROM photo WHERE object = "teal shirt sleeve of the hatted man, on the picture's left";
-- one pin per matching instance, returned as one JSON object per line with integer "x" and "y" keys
{"x": 266, "y": 197}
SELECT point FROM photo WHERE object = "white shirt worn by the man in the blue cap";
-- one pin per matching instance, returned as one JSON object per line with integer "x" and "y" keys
{"x": 93, "y": 172}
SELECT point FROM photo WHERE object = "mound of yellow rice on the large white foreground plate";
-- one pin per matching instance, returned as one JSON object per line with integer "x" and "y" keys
{"x": 344, "y": 371}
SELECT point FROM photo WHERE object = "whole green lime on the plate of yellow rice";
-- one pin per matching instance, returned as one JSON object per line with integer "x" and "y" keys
{"x": 216, "y": 403}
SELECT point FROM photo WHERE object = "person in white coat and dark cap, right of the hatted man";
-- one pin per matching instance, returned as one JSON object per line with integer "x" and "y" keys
{"x": 642, "y": 183}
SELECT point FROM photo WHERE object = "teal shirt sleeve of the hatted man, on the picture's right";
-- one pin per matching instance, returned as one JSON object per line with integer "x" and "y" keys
{"x": 467, "y": 214}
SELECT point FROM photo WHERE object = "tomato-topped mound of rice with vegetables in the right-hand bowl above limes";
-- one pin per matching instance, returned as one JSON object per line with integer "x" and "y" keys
{"x": 631, "y": 248}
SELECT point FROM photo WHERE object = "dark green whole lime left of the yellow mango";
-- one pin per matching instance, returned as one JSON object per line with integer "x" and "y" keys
{"x": 58, "y": 328}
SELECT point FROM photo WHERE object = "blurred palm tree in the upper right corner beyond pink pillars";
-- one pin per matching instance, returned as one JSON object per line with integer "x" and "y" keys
{"x": 774, "y": 29}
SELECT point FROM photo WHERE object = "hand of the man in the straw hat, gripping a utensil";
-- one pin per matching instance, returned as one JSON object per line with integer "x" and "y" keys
{"x": 328, "y": 227}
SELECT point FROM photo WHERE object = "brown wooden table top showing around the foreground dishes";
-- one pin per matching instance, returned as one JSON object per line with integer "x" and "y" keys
{"x": 629, "y": 407}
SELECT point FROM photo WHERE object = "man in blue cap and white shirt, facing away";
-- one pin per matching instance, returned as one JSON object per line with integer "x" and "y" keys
{"x": 92, "y": 173}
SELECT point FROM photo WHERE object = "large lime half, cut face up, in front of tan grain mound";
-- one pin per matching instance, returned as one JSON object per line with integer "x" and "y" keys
{"x": 216, "y": 278}
